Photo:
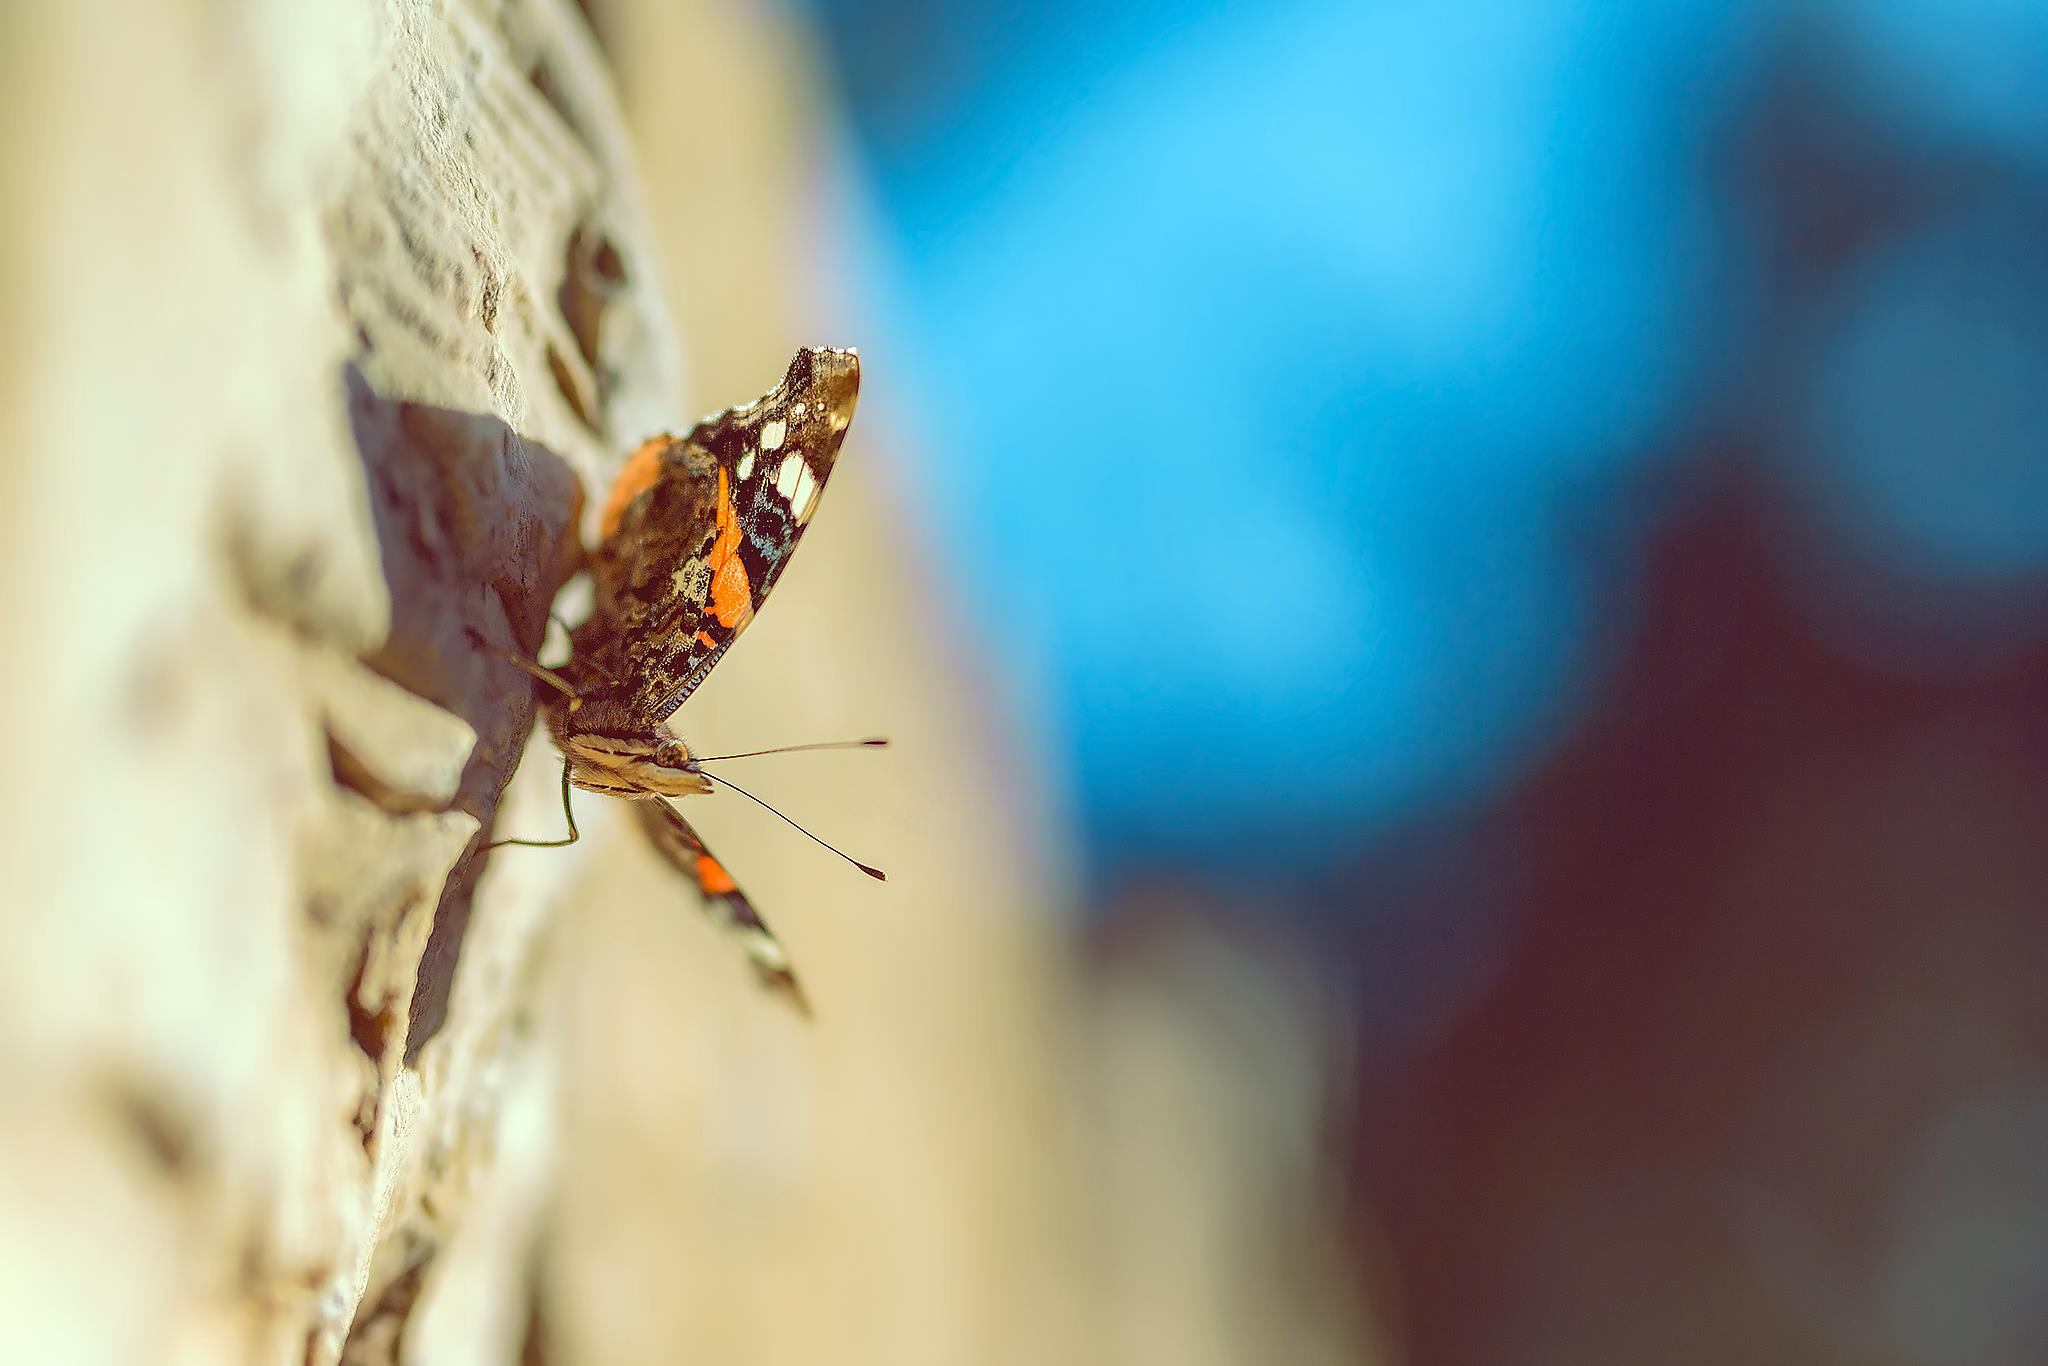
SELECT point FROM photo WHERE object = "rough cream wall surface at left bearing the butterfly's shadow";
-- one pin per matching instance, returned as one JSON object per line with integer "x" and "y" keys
{"x": 323, "y": 316}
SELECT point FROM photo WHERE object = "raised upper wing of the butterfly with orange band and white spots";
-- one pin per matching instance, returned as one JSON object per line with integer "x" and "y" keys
{"x": 697, "y": 529}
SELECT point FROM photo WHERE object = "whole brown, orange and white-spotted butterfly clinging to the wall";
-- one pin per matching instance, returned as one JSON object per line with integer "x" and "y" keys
{"x": 693, "y": 538}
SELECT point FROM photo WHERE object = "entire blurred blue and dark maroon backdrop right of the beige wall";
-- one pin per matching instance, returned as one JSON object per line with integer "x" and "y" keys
{"x": 1549, "y": 505}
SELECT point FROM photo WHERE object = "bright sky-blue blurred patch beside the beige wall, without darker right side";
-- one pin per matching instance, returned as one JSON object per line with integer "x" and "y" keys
{"x": 1287, "y": 372}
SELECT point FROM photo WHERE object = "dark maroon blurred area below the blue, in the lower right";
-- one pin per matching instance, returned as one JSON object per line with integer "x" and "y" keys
{"x": 1758, "y": 1072}
